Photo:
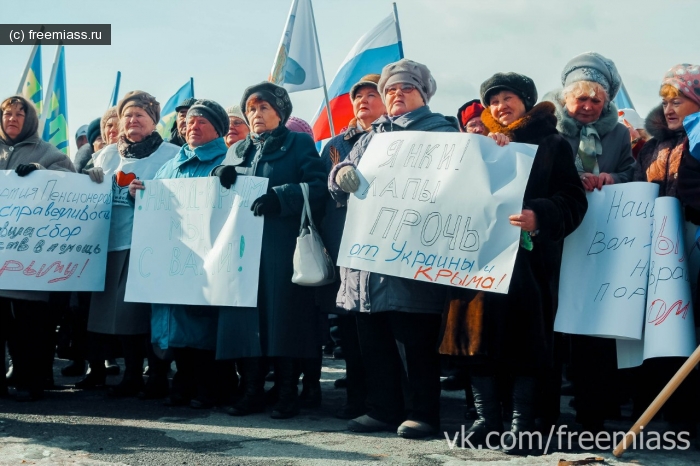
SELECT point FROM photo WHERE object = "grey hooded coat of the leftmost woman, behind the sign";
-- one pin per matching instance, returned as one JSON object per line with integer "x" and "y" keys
{"x": 36, "y": 151}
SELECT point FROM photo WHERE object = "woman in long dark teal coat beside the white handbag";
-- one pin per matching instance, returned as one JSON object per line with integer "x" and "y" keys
{"x": 284, "y": 325}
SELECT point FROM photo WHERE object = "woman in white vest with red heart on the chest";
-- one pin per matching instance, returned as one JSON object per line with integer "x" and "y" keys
{"x": 138, "y": 154}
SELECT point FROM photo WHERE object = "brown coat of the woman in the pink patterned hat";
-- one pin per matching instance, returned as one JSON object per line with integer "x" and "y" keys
{"x": 660, "y": 158}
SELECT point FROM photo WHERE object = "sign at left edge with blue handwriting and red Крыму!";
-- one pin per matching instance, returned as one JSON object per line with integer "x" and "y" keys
{"x": 54, "y": 228}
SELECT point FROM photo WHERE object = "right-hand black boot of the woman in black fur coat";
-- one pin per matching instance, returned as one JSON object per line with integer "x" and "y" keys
{"x": 523, "y": 416}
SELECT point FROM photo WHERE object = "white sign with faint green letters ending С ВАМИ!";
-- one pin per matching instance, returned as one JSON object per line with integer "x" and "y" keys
{"x": 195, "y": 242}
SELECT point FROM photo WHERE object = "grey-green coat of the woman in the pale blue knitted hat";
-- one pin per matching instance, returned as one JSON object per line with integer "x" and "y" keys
{"x": 616, "y": 158}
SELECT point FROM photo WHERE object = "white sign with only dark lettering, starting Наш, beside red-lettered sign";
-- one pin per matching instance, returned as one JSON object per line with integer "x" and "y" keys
{"x": 605, "y": 264}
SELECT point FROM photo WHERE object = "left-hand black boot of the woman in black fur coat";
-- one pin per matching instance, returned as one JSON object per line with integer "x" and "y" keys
{"x": 488, "y": 410}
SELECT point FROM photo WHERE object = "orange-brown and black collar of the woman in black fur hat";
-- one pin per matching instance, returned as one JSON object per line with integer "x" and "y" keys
{"x": 538, "y": 123}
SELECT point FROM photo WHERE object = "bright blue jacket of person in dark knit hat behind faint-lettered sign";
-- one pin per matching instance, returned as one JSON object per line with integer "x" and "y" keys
{"x": 180, "y": 326}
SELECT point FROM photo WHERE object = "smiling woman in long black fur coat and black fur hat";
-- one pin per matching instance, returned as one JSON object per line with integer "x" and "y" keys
{"x": 512, "y": 334}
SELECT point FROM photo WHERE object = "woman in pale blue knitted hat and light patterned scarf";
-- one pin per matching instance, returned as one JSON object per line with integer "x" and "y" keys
{"x": 588, "y": 119}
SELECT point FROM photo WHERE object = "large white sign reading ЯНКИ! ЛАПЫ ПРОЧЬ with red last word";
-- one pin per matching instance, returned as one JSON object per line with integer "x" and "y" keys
{"x": 434, "y": 207}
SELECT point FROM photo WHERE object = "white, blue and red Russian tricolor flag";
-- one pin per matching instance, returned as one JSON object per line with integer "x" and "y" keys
{"x": 374, "y": 50}
